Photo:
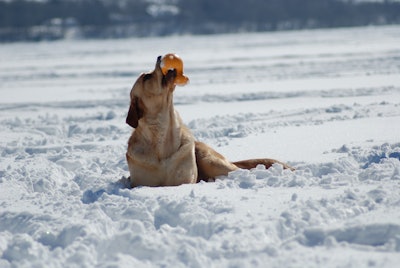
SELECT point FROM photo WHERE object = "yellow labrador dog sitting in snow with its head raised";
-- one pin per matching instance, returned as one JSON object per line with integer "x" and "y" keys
{"x": 161, "y": 150}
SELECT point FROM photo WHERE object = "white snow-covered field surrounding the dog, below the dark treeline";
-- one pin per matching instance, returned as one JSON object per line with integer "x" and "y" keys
{"x": 325, "y": 101}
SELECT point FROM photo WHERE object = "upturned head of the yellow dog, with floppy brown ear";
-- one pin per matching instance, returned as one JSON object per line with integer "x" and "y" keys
{"x": 151, "y": 93}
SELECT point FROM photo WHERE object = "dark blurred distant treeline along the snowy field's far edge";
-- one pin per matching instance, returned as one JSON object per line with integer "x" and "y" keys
{"x": 53, "y": 19}
